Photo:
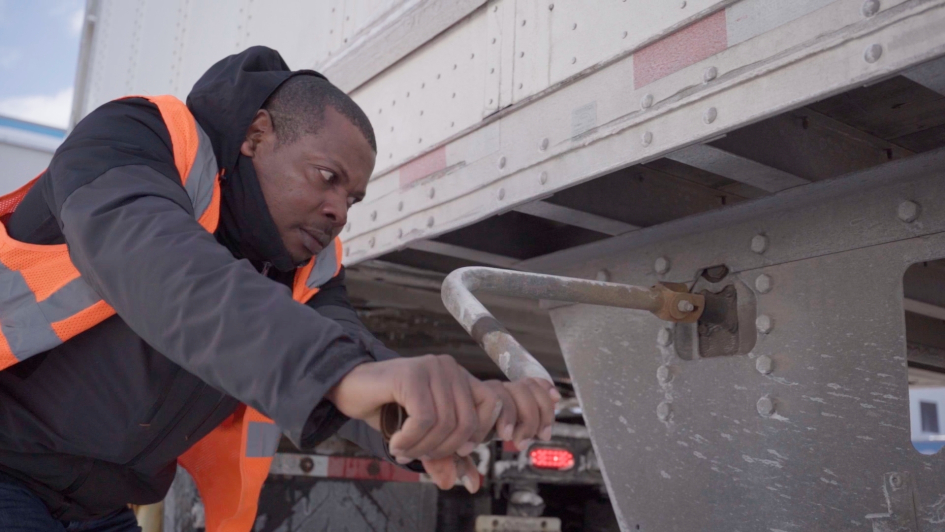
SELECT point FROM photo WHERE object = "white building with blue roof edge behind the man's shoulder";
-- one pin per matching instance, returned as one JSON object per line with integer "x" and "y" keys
{"x": 25, "y": 151}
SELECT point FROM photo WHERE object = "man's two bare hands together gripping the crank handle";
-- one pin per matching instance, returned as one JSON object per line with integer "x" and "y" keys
{"x": 449, "y": 411}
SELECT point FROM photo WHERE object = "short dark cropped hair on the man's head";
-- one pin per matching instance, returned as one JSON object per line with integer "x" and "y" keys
{"x": 297, "y": 108}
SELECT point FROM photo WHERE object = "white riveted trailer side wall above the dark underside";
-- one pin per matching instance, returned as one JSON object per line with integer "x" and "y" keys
{"x": 482, "y": 107}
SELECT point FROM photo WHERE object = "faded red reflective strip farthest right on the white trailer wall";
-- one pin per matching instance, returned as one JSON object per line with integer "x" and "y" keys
{"x": 675, "y": 52}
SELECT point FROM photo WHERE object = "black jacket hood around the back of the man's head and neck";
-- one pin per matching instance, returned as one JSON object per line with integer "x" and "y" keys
{"x": 224, "y": 101}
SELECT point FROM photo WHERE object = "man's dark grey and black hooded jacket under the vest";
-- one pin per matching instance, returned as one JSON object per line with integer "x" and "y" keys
{"x": 99, "y": 421}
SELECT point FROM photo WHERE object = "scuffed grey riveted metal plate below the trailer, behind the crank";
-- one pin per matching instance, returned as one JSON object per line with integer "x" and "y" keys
{"x": 803, "y": 433}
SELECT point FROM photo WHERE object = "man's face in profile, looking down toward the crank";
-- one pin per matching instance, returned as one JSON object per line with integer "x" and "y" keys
{"x": 310, "y": 184}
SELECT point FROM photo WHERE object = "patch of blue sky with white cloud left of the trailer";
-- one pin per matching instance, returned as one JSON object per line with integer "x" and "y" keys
{"x": 39, "y": 47}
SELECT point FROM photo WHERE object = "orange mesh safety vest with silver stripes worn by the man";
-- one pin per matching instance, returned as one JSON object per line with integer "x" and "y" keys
{"x": 45, "y": 302}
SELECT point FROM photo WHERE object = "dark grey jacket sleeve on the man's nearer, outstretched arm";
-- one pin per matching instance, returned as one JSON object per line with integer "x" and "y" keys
{"x": 132, "y": 235}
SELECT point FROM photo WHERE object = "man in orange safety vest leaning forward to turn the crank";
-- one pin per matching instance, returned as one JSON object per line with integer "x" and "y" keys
{"x": 176, "y": 297}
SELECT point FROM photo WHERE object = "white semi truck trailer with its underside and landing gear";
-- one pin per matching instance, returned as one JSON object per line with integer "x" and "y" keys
{"x": 777, "y": 166}
